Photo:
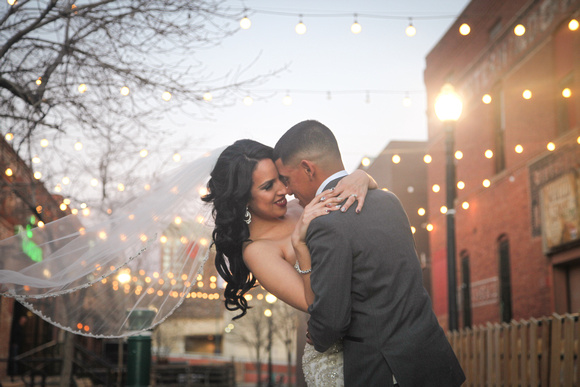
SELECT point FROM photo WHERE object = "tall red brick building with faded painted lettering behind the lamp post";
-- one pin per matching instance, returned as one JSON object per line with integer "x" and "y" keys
{"x": 518, "y": 242}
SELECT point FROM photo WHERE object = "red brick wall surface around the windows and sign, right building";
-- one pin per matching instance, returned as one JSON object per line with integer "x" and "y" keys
{"x": 477, "y": 65}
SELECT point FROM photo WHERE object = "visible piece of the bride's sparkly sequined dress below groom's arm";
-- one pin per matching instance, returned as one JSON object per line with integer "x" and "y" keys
{"x": 323, "y": 369}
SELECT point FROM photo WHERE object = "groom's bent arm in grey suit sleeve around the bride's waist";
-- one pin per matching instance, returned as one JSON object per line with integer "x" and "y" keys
{"x": 331, "y": 283}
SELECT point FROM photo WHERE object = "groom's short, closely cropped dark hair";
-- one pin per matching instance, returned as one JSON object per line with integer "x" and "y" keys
{"x": 309, "y": 140}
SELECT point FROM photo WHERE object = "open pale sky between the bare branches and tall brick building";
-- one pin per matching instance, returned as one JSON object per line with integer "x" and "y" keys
{"x": 329, "y": 57}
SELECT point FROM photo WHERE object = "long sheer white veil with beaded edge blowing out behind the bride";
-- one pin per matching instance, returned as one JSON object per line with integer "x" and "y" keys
{"x": 100, "y": 277}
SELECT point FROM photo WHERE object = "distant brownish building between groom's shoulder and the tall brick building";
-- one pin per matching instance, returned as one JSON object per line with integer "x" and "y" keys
{"x": 400, "y": 168}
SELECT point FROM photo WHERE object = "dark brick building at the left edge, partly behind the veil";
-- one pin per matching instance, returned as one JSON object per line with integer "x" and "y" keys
{"x": 24, "y": 201}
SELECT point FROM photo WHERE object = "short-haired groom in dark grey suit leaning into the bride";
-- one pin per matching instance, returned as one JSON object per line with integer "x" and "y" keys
{"x": 365, "y": 276}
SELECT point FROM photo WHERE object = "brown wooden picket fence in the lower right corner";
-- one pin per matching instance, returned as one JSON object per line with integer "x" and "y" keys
{"x": 542, "y": 352}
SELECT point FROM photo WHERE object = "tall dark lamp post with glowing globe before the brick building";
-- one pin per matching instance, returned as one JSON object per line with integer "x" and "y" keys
{"x": 448, "y": 109}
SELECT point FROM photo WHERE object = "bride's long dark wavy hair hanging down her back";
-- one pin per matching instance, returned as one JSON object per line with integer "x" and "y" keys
{"x": 229, "y": 191}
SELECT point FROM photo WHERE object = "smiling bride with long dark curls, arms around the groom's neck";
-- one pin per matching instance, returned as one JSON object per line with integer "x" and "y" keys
{"x": 258, "y": 233}
